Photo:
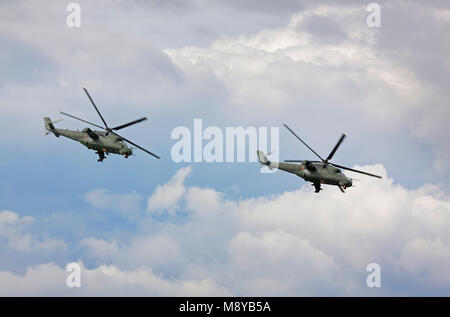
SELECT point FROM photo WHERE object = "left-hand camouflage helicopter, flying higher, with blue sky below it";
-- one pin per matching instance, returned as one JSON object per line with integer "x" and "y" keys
{"x": 104, "y": 142}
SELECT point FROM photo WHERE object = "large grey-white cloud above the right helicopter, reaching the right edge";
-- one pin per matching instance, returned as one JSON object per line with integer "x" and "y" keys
{"x": 349, "y": 75}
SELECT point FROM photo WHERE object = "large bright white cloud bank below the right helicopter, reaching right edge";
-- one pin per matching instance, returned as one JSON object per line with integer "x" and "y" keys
{"x": 298, "y": 243}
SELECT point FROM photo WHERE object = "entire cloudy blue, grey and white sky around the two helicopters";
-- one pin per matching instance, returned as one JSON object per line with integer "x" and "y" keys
{"x": 155, "y": 227}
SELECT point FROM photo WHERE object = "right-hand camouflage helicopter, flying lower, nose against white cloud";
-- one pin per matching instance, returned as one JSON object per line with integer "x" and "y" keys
{"x": 317, "y": 172}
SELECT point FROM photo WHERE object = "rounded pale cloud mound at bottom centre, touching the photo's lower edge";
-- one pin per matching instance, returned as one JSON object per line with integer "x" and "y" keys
{"x": 297, "y": 266}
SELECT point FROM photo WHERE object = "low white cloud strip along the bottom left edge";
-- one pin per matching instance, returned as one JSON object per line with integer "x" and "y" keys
{"x": 50, "y": 280}
